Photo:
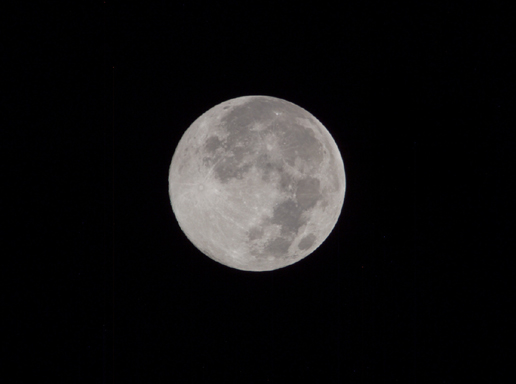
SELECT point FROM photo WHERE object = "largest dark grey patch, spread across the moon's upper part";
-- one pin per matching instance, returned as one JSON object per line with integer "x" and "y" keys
{"x": 237, "y": 153}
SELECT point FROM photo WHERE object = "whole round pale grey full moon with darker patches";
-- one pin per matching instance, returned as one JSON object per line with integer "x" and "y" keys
{"x": 257, "y": 183}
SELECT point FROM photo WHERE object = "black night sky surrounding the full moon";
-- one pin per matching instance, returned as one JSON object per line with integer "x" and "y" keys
{"x": 414, "y": 284}
